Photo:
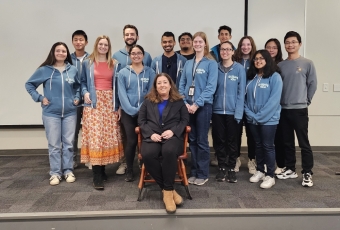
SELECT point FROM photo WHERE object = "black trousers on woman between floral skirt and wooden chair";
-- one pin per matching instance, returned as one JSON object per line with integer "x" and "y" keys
{"x": 129, "y": 123}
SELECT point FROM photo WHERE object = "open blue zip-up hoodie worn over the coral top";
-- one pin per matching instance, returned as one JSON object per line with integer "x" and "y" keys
{"x": 87, "y": 84}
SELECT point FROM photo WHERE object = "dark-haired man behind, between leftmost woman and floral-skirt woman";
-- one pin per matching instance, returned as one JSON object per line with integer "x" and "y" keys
{"x": 79, "y": 41}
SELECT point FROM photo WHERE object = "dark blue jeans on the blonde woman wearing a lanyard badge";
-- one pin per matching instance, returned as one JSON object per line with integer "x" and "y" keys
{"x": 198, "y": 139}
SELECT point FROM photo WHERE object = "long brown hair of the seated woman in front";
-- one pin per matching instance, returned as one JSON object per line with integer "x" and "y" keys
{"x": 154, "y": 97}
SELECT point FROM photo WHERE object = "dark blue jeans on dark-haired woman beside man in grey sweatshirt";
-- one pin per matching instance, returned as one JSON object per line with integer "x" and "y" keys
{"x": 264, "y": 136}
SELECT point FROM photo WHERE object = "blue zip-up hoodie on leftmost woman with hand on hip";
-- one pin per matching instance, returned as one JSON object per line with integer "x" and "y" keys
{"x": 60, "y": 89}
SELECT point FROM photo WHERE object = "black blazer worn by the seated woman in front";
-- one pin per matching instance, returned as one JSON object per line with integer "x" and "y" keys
{"x": 175, "y": 117}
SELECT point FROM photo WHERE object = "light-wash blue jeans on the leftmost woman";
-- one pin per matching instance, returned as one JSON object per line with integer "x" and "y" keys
{"x": 60, "y": 134}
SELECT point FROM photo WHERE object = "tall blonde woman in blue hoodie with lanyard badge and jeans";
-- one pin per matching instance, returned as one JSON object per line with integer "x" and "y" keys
{"x": 198, "y": 85}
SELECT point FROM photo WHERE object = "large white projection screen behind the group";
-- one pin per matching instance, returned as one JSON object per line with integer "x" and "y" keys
{"x": 30, "y": 28}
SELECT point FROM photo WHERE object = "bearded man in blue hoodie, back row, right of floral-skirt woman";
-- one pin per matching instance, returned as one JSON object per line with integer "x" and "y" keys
{"x": 130, "y": 36}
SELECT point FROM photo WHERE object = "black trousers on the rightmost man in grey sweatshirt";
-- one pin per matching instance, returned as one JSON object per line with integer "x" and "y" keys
{"x": 296, "y": 120}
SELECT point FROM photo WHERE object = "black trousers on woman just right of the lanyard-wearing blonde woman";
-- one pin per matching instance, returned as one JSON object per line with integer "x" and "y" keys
{"x": 225, "y": 134}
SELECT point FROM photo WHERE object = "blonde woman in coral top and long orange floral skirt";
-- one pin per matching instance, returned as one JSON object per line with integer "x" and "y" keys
{"x": 101, "y": 138}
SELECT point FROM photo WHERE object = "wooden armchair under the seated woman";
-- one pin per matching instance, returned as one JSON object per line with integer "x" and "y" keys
{"x": 181, "y": 170}
